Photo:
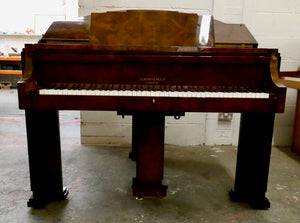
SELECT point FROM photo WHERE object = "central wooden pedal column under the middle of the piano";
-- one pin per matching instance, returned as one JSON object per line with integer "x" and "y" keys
{"x": 149, "y": 143}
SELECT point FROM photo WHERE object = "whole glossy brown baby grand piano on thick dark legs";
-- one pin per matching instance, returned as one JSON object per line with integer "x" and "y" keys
{"x": 149, "y": 64}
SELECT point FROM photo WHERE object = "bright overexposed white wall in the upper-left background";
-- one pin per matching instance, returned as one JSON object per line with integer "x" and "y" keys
{"x": 17, "y": 16}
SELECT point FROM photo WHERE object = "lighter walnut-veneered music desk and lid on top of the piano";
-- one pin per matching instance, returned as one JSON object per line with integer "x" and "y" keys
{"x": 149, "y": 28}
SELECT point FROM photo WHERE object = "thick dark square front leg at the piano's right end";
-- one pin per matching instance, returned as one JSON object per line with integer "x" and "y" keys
{"x": 253, "y": 159}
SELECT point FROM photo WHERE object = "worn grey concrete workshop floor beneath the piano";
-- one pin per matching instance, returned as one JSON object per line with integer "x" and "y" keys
{"x": 99, "y": 178}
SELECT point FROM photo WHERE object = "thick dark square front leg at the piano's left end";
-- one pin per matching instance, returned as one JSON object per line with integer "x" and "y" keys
{"x": 44, "y": 155}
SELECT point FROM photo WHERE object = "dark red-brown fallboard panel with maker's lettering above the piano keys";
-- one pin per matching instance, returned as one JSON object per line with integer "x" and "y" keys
{"x": 86, "y": 64}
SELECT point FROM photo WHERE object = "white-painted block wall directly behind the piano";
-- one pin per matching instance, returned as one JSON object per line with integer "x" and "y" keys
{"x": 272, "y": 22}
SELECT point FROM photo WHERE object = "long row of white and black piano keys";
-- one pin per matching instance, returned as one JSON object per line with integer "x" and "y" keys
{"x": 155, "y": 92}
